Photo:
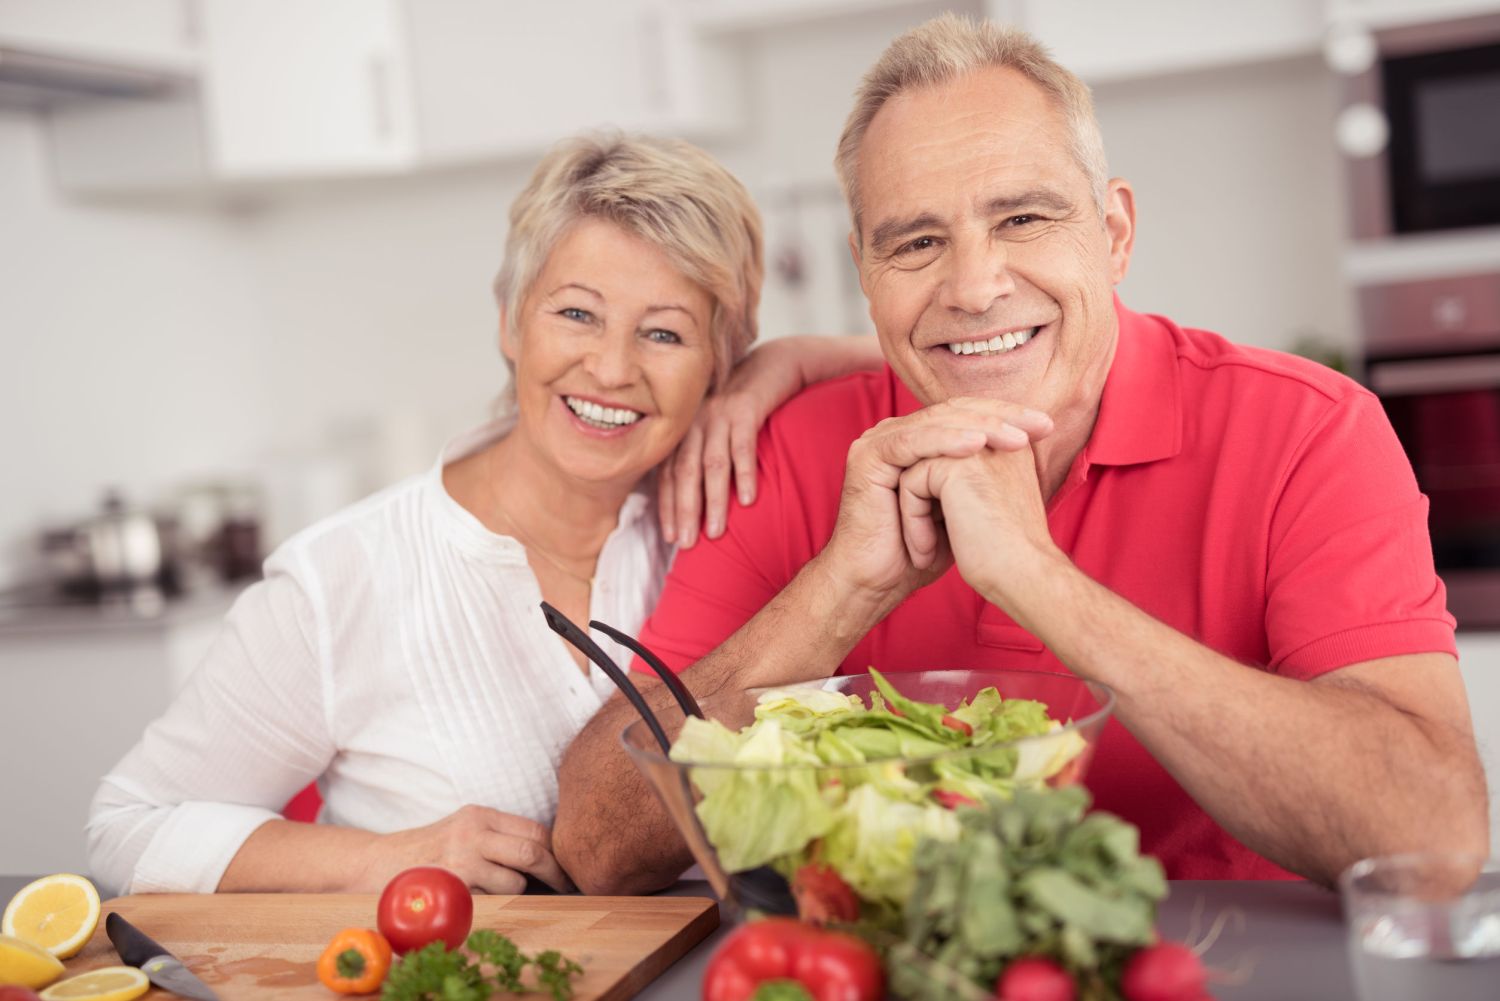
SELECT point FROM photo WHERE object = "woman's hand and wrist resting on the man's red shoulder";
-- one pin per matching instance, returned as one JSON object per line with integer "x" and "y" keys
{"x": 694, "y": 482}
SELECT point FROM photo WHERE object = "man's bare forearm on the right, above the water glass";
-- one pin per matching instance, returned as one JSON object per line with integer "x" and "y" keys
{"x": 1310, "y": 775}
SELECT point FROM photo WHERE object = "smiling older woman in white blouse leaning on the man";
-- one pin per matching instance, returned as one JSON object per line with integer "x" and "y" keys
{"x": 395, "y": 652}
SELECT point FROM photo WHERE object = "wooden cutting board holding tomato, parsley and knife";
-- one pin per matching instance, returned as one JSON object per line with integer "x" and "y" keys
{"x": 268, "y": 945}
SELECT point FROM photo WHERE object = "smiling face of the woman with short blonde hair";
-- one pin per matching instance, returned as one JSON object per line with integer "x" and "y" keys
{"x": 613, "y": 355}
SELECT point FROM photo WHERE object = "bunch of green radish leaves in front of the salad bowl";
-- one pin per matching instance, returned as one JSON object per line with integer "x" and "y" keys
{"x": 1031, "y": 877}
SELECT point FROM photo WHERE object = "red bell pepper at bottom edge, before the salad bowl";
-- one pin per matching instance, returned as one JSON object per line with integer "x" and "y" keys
{"x": 829, "y": 966}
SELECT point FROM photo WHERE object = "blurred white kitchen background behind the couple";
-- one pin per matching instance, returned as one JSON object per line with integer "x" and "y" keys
{"x": 248, "y": 247}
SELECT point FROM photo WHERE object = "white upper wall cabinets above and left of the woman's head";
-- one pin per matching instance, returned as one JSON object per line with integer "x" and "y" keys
{"x": 304, "y": 89}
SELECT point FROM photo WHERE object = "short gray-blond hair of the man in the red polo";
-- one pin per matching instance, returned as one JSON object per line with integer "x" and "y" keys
{"x": 949, "y": 47}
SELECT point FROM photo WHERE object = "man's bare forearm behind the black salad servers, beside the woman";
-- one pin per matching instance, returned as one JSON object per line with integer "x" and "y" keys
{"x": 613, "y": 835}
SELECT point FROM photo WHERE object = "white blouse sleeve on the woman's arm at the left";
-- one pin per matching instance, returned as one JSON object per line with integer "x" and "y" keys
{"x": 245, "y": 735}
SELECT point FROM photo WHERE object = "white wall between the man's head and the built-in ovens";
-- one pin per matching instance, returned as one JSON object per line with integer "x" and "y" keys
{"x": 1240, "y": 199}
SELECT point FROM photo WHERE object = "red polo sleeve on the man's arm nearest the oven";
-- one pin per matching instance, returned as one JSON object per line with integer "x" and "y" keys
{"x": 1351, "y": 574}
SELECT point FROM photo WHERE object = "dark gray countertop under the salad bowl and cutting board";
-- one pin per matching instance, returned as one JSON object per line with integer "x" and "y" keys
{"x": 1282, "y": 942}
